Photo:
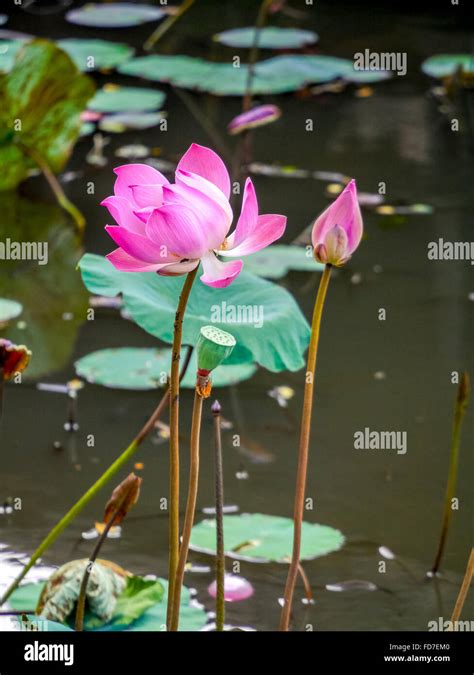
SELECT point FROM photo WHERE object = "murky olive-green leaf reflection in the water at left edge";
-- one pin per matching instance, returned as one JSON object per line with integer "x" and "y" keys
{"x": 41, "y": 326}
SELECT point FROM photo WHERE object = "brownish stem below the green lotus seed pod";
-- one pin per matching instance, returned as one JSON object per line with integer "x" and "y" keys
{"x": 190, "y": 510}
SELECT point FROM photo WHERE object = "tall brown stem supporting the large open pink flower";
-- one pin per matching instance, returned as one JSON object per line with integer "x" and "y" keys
{"x": 174, "y": 443}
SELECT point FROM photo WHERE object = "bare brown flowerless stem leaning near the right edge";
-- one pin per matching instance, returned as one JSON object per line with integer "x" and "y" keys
{"x": 459, "y": 412}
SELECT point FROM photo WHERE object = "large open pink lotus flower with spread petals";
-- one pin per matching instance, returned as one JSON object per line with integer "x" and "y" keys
{"x": 169, "y": 228}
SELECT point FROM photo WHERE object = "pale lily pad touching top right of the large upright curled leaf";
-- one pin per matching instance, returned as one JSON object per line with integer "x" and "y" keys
{"x": 89, "y": 55}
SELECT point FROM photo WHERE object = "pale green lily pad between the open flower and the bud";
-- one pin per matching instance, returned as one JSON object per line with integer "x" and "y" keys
{"x": 276, "y": 261}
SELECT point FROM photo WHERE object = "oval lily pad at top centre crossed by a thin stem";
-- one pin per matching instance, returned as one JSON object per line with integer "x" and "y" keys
{"x": 268, "y": 38}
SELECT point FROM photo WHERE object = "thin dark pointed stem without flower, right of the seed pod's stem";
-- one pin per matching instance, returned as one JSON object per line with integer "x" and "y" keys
{"x": 220, "y": 556}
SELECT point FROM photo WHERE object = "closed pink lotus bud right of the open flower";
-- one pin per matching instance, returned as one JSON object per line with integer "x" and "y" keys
{"x": 338, "y": 230}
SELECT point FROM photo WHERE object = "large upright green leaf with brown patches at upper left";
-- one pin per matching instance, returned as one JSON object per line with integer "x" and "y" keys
{"x": 42, "y": 99}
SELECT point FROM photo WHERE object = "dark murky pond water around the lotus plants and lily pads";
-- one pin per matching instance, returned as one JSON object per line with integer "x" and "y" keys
{"x": 392, "y": 374}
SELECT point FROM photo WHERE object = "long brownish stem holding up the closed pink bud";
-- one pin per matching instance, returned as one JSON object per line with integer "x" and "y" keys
{"x": 304, "y": 448}
